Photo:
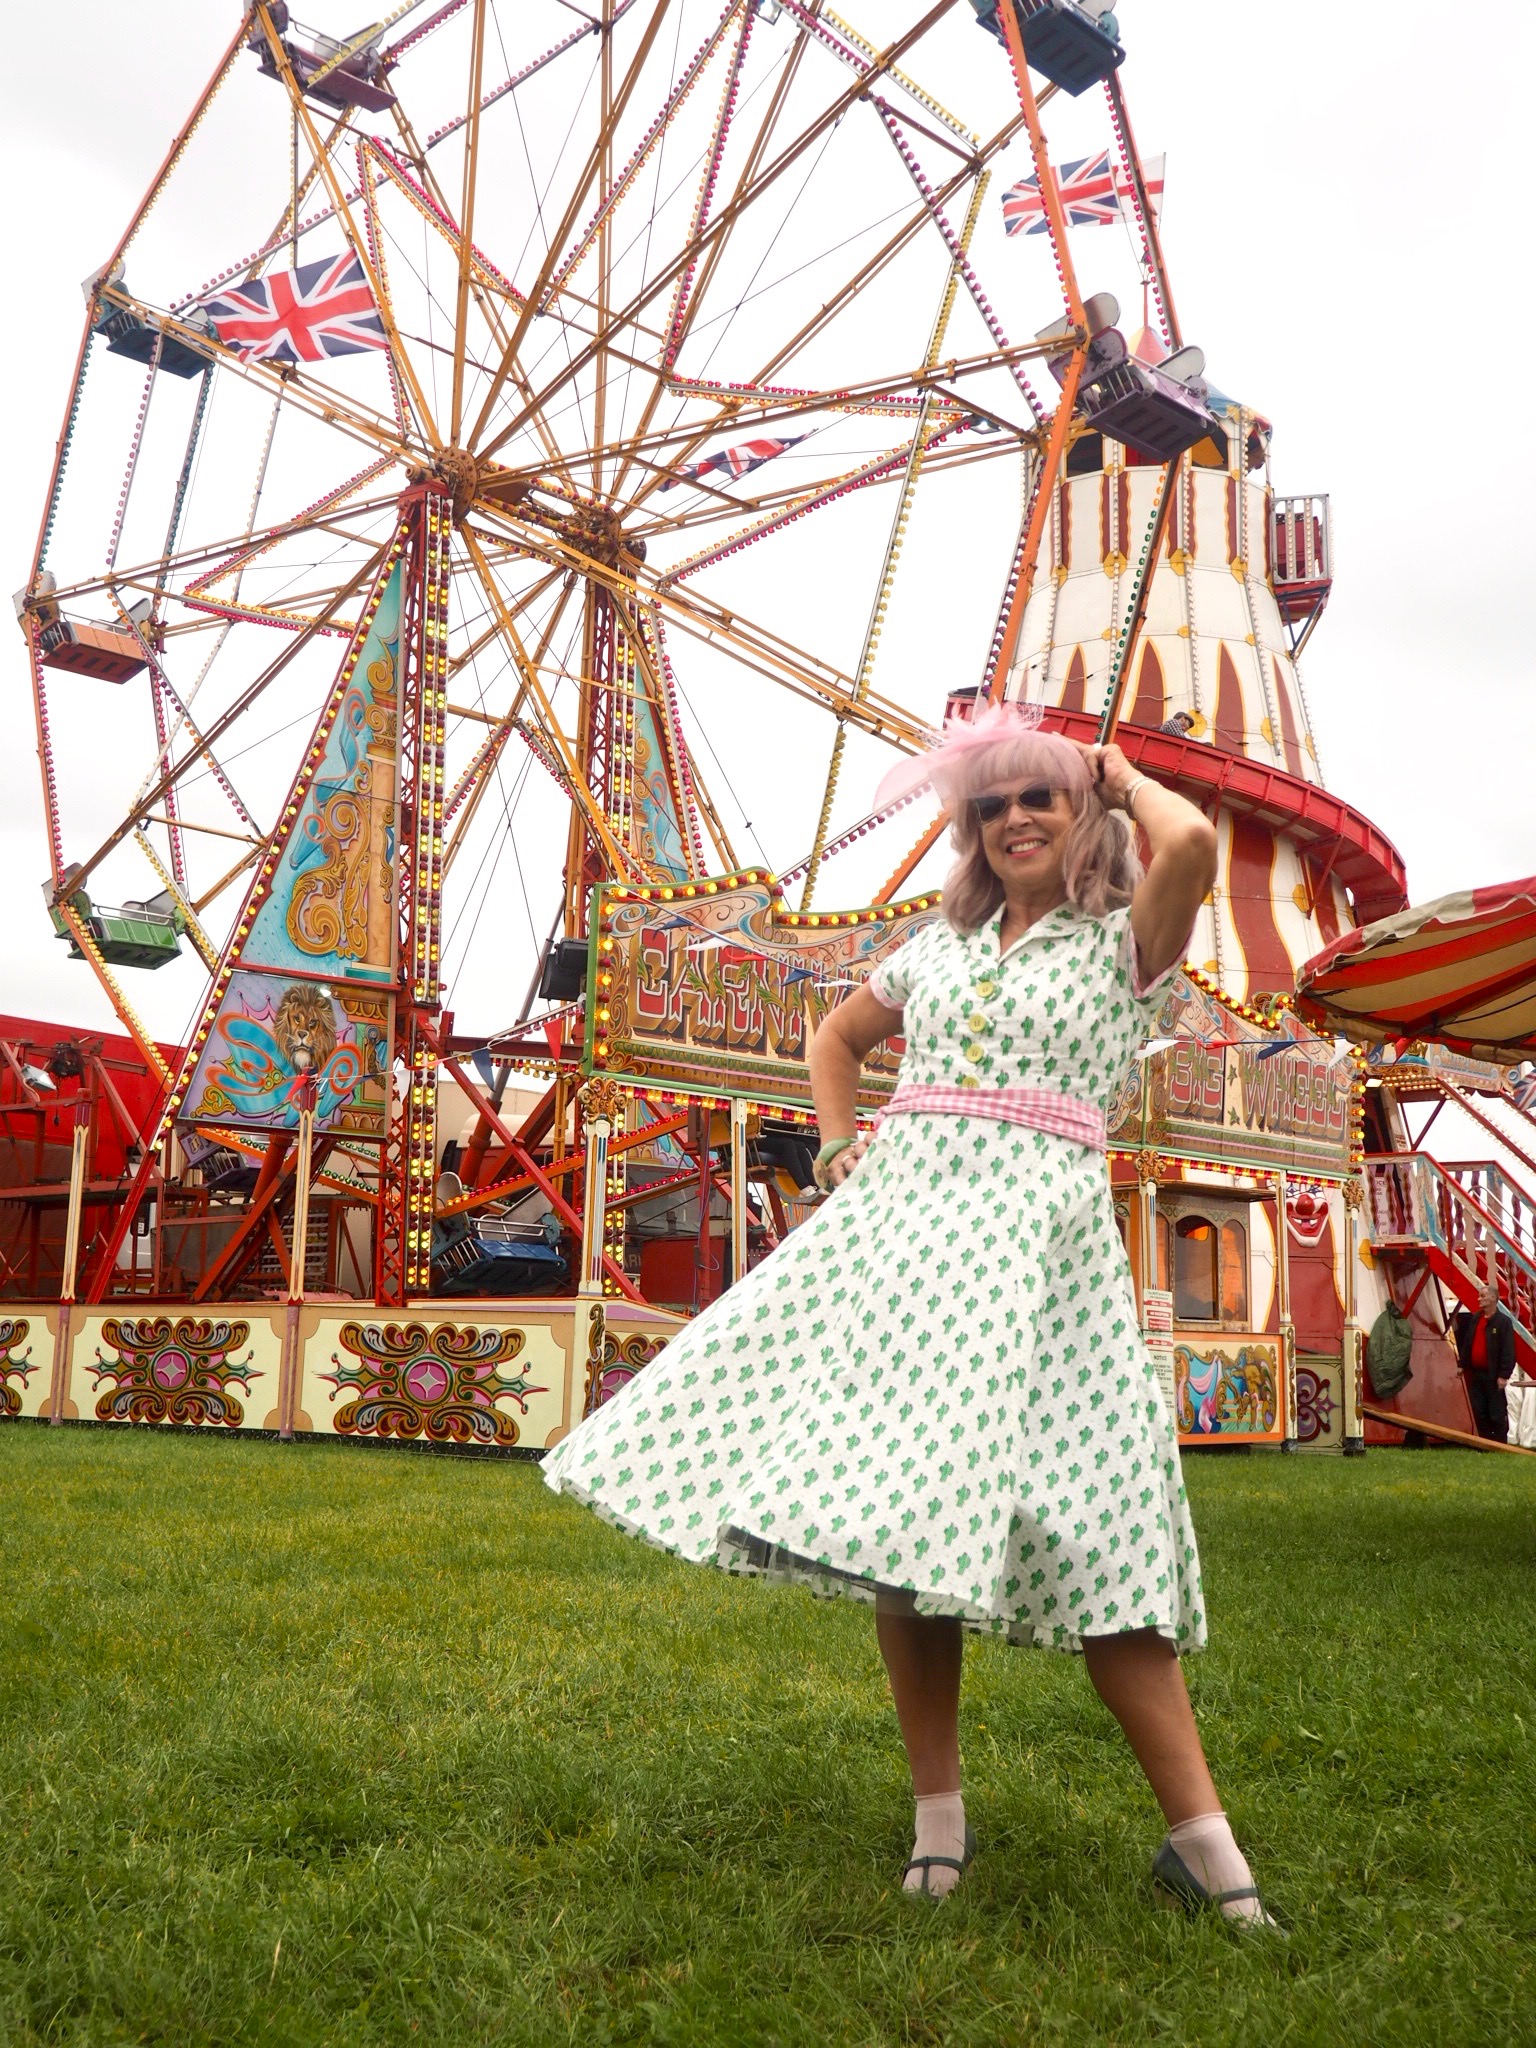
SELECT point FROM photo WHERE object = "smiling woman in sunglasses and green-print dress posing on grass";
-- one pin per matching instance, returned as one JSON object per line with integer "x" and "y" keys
{"x": 935, "y": 1396}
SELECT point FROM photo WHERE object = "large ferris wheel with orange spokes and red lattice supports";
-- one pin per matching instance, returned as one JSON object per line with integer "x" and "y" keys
{"x": 527, "y": 447}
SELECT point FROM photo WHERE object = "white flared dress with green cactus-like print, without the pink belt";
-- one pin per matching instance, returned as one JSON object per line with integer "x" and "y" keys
{"x": 937, "y": 1383}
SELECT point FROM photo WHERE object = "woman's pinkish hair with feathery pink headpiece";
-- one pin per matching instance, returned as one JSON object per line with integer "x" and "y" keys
{"x": 998, "y": 753}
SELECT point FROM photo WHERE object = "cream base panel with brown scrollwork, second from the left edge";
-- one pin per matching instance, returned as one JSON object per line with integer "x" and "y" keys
{"x": 191, "y": 1369}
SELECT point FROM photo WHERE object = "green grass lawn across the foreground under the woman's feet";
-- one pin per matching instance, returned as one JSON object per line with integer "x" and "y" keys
{"x": 321, "y": 1746}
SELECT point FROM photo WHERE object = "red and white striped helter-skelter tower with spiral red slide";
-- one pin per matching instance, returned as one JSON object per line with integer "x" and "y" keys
{"x": 1238, "y": 585}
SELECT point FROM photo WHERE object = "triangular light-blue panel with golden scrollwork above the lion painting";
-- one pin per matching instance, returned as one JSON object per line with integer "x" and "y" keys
{"x": 331, "y": 908}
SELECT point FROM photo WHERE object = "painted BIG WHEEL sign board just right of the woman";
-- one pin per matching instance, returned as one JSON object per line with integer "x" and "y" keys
{"x": 1220, "y": 1084}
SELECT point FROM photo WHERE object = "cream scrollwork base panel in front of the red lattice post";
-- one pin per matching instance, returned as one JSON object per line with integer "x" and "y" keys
{"x": 501, "y": 1381}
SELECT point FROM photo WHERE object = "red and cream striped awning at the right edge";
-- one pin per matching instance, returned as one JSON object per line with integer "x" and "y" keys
{"x": 1461, "y": 972}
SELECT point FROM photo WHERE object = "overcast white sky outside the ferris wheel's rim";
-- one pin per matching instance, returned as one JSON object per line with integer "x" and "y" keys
{"x": 1347, "y": 226}
